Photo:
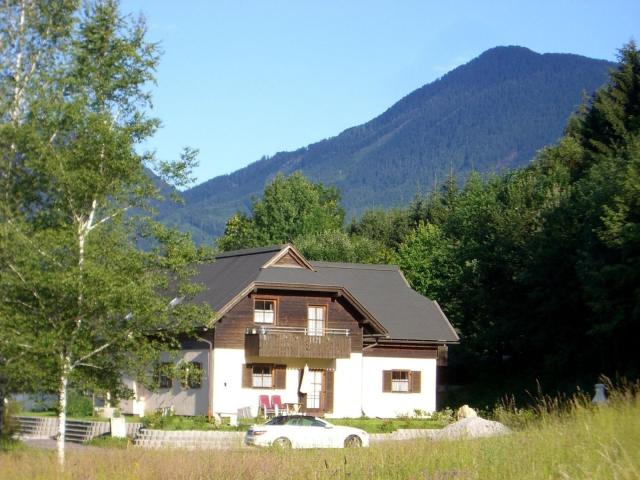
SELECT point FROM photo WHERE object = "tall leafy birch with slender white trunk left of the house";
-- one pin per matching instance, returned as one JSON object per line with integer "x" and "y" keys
{"x": 81, "y": 302}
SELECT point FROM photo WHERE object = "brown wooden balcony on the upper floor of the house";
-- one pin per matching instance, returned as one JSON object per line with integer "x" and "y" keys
{"x": 294, "y": 342}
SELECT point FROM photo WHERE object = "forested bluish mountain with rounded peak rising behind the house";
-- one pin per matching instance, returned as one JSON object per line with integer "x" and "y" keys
{"x": 490, "y": 114}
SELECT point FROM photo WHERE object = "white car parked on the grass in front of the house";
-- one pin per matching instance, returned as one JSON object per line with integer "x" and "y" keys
{"x": 302, "y": 431}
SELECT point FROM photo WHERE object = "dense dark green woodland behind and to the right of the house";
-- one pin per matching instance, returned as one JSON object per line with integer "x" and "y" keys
{"x": 537, "y": 268}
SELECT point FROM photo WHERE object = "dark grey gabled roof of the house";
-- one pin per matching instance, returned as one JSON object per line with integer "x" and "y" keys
{"x": 381, "y": 289}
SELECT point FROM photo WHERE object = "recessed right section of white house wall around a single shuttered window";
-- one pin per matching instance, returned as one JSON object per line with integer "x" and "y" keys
{"x": 376, "y": 403}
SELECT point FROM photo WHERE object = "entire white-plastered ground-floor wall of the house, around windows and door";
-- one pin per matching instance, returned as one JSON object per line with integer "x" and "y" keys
{"x": 357, "y": 386}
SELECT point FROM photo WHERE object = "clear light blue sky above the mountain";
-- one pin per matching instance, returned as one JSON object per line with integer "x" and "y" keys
{"x": 242, "y": 79}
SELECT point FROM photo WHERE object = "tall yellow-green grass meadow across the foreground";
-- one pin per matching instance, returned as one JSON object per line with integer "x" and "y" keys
{"x": 563, "y": 439}
